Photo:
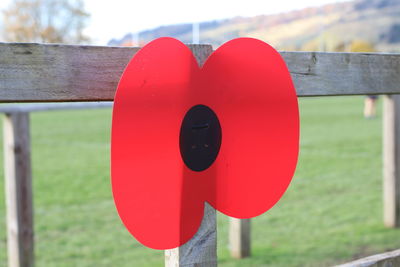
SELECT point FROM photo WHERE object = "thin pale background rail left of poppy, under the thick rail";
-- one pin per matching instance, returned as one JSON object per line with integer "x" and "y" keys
{"x": 34, "y": 107}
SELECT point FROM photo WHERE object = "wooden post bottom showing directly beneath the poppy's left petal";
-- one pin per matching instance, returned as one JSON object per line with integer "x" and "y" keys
{"x": 201, "y": 250}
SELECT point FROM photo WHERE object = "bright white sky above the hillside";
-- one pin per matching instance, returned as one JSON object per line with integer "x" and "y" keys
{"x": 113, "y": 19}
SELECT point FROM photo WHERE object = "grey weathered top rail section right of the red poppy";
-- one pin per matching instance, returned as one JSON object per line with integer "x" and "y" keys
{"x": 323, "y": 74}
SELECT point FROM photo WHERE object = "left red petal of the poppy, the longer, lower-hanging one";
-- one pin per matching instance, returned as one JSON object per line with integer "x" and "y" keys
{"x": 155, "y": 199}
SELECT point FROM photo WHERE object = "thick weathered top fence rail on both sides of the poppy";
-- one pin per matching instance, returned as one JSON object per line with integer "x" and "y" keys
{"x": 39, "y": 72}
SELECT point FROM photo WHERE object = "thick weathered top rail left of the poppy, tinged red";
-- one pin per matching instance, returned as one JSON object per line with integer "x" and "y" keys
{"x": 45, "y": 73}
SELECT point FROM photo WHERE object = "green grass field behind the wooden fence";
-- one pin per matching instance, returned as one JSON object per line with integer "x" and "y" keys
{"x": 331, "y": 213}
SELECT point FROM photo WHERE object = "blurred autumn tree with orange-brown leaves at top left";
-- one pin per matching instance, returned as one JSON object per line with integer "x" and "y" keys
{"x": 45, "y": 21}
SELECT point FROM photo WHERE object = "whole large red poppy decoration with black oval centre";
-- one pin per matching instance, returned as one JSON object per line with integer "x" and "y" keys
{"x": 226, "y": 134}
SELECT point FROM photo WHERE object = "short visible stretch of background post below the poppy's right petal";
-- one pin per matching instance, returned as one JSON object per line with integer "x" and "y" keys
{"x": 240, "y": 237}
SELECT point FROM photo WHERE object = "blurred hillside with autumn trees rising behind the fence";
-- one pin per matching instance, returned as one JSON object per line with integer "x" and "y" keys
{"x": 325, "y": 28}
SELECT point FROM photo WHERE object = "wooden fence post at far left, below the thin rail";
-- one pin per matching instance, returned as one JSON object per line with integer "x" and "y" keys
{"x": 18, "y": 190}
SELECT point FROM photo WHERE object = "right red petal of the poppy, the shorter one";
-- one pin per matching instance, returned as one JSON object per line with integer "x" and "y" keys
{"x": 251, "y": 91}
